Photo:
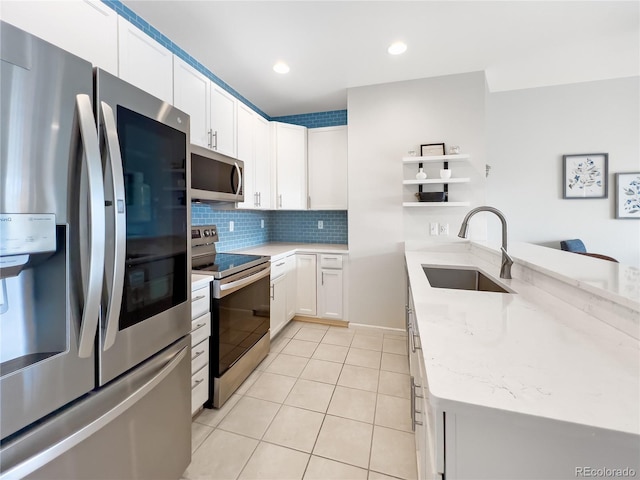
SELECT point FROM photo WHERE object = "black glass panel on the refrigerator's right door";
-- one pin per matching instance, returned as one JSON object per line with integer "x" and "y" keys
{"x": 153, "y": 156}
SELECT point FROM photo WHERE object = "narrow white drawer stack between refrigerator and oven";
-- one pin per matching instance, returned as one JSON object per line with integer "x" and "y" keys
{"x": 200, "y": 333}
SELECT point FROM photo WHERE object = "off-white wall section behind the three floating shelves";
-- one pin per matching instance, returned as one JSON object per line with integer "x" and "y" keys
{"x": 385, "y": 122}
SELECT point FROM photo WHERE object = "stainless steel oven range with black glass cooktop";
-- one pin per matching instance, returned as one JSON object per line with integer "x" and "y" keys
{"x": 239, "y": 312}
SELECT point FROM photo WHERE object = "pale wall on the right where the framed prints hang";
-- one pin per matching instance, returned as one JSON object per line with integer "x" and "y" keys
{"x": 528, "y": 131}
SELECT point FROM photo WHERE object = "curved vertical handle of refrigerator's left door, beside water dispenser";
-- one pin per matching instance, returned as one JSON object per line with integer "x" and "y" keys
{"x": 93, "y": 261}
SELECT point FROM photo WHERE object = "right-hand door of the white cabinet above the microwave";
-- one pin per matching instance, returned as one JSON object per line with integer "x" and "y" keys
{"x": 223, "y": 121}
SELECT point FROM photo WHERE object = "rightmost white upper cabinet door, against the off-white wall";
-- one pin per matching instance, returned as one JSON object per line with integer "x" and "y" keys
{"x": 327, "y": 152}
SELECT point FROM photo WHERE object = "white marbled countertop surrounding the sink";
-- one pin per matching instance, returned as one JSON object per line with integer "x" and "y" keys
{"x": 527, "y": 352}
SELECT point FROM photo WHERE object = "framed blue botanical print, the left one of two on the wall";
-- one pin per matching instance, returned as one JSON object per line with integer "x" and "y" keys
{"x": 585, "y": 175}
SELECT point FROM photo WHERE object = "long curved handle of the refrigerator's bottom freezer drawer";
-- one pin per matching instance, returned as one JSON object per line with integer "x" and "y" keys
{"x": 39, "y": 460}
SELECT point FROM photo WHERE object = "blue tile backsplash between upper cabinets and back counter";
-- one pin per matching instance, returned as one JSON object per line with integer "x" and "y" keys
{"x": 279, "y": 226}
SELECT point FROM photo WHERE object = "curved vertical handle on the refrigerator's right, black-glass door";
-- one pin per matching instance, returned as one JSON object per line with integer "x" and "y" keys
{"x": 115, "y": 284}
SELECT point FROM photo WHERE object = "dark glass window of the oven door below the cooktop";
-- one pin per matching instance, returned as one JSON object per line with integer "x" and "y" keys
{"x": 241, "y": 318}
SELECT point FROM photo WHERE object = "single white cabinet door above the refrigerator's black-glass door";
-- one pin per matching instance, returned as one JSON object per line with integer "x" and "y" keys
{"x": 143, "y": 62}
